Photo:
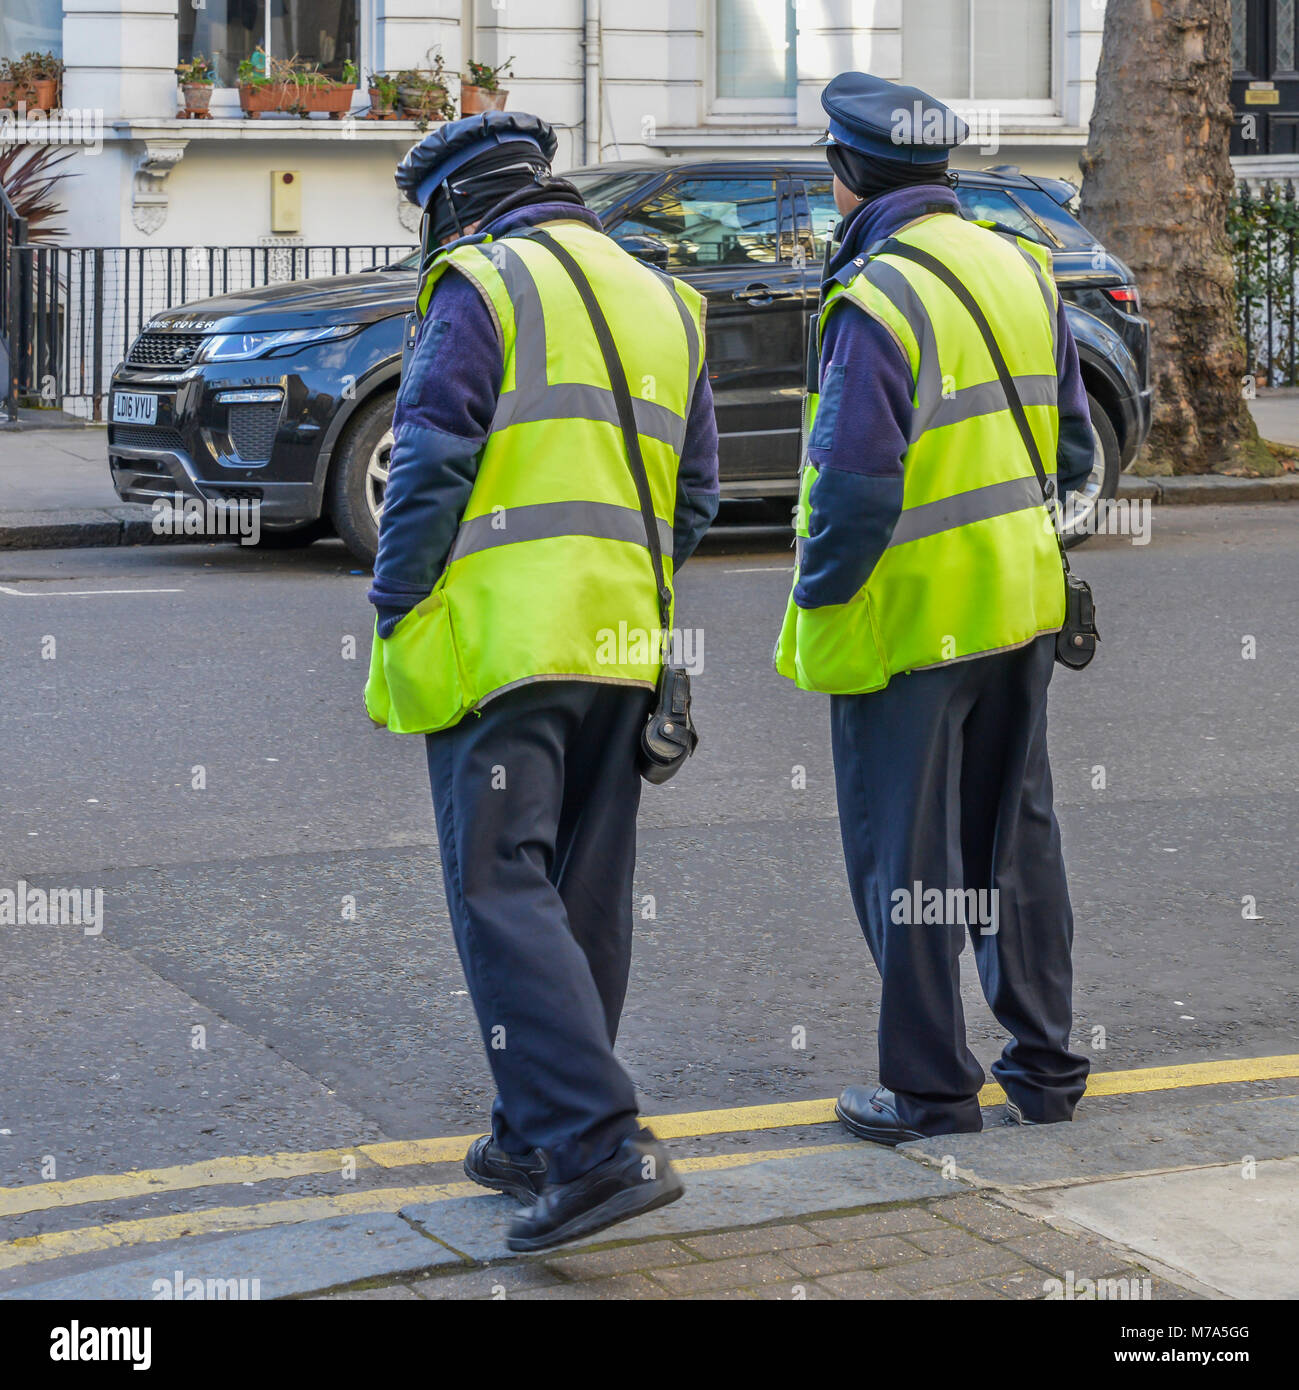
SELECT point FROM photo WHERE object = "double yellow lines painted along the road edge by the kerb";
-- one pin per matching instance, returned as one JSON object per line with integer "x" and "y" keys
{"x": 422, "y": 1153}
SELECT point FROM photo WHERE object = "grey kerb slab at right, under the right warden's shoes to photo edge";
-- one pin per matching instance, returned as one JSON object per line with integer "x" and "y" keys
{"x": 1114, "y": 1145}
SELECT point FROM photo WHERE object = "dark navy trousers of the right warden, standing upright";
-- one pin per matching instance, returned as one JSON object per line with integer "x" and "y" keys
{"x": 944, "y": 783}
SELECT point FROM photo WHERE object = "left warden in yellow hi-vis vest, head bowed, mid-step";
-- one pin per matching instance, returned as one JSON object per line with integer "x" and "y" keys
{"x": 519, "y": 618}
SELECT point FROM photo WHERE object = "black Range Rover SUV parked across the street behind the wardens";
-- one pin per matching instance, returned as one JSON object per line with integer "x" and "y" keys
{"x": 286, "y": 394}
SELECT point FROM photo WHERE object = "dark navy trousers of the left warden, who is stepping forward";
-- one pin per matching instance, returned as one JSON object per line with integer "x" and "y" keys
{"x": 537, "y": 804}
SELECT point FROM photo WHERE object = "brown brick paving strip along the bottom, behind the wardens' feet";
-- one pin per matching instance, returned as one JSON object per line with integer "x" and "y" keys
{"x": 959, "y": 1248}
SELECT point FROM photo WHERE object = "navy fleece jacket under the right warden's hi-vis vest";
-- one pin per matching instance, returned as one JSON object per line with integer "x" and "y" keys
{"x": 865, "y": 420}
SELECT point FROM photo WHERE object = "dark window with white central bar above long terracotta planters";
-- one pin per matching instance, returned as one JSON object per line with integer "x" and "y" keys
{"x": 319, "y": 33}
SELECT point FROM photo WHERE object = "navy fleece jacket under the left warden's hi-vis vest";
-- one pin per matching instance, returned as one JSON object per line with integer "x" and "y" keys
{"x": 442, "y": 420}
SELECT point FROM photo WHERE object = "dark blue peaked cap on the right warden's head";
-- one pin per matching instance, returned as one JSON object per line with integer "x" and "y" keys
{"x": 890, "y": 122}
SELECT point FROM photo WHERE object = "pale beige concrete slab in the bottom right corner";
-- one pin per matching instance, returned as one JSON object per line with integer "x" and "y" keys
{"x": 1230, "y": 1228}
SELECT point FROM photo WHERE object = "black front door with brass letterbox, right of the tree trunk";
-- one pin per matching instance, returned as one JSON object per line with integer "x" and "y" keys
{"x": 1265, "y": 80}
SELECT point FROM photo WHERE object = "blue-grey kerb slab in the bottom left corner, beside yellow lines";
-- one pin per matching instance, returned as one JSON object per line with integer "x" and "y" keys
{"x": 266, "y": 1264}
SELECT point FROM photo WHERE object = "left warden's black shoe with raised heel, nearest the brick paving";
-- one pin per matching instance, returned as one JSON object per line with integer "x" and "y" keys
{"x": 615, "y": 1191}
